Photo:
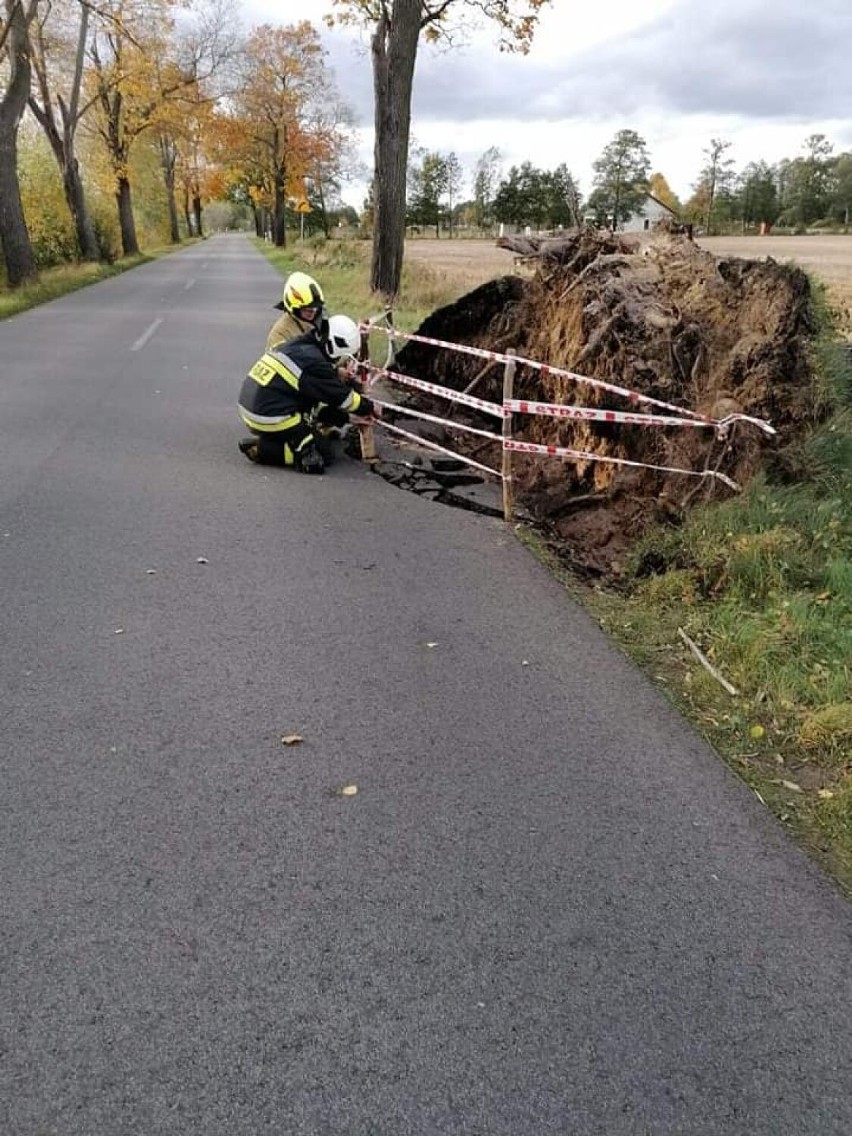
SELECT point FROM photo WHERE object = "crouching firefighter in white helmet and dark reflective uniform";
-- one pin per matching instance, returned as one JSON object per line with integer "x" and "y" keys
{"x": 296, "y": 385}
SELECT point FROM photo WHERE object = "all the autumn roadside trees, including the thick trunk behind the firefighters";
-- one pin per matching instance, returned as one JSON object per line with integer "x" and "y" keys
{"x": 262, "y": 118}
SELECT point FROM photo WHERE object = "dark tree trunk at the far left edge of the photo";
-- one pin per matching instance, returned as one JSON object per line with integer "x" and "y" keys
{"x": 14, "y": 236}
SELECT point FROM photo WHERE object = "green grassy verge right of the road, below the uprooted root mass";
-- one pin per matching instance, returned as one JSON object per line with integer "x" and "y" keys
{"x": 763, "y": 587}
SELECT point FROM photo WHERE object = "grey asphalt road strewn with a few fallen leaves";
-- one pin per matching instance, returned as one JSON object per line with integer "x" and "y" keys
{"x": 548, "y": 909}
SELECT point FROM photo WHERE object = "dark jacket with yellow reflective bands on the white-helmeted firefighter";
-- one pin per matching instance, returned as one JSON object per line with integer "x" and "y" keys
{"x": 290, "y": 382}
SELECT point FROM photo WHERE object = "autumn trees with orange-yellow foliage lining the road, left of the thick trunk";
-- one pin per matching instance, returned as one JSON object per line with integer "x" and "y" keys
{"x": 114, "y": 88}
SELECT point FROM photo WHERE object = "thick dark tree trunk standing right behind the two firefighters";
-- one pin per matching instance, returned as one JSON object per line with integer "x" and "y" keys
{"x": 395, "y": 53}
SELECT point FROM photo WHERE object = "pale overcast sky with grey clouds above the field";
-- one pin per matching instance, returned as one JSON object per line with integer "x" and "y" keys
{"x": 762, "y": 74}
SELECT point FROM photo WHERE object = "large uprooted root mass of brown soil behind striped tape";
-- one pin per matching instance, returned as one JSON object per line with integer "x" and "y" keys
{"x": 664, "y": 319}
